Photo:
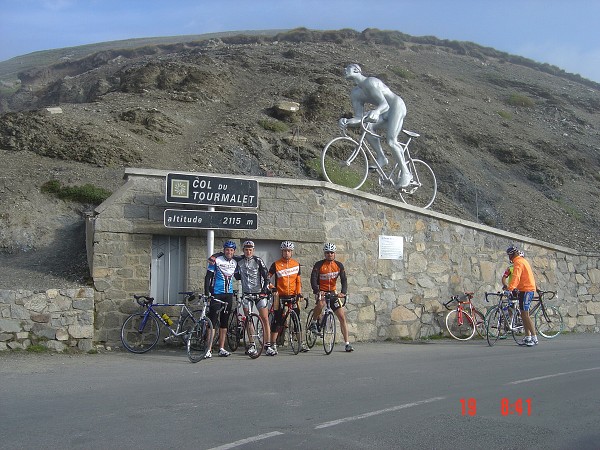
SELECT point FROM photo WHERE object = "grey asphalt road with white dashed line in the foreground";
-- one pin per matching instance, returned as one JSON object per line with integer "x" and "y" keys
{"x": 382, "y": 396}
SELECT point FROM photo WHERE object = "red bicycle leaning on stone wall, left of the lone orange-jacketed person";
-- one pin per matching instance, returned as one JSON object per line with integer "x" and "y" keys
{"x": 463, "y": 321}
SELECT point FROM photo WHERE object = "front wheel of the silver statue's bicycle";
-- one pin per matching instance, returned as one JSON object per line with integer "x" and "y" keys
{"x": 344, "y": 162}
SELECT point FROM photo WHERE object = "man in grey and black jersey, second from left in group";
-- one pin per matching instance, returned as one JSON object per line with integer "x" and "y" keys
{"x": 252, "y": 272}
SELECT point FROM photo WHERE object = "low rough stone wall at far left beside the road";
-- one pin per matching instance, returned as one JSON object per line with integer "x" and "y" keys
{"x": 56, "y": 318}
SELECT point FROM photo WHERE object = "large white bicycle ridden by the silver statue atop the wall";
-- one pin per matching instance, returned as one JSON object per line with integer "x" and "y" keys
{"x": 347, "y": 161}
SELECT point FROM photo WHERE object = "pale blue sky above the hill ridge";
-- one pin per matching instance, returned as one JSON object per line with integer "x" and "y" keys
{"x": 563, "y": 33}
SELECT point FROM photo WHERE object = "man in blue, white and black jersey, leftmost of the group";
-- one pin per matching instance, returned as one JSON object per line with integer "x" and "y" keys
{"x": 218, "y": 282}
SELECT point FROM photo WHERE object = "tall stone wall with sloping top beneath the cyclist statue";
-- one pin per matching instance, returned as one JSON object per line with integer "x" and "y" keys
{"x": 389, "y": 298}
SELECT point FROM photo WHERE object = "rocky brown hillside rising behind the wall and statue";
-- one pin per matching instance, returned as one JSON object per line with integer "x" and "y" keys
{"x": 514, "y": 144}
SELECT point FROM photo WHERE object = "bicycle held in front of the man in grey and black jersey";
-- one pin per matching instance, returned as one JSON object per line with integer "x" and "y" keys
{"x": 248, "y": 328}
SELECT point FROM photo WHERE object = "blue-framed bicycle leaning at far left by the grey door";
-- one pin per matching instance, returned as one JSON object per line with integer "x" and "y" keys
{"x": 141, "y": 330}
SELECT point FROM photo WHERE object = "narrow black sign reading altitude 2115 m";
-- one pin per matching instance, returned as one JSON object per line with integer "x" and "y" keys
{"x": 179, "y": 218}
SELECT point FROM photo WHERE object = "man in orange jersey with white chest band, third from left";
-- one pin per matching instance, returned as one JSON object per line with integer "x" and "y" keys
{"x": 288, "y": 285}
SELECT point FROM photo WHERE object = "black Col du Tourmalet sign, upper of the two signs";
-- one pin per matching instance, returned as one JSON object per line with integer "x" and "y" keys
{"x": 211, "y": 191}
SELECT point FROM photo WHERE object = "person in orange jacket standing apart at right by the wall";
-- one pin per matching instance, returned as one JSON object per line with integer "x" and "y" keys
{"x": 522, "y": 280}
